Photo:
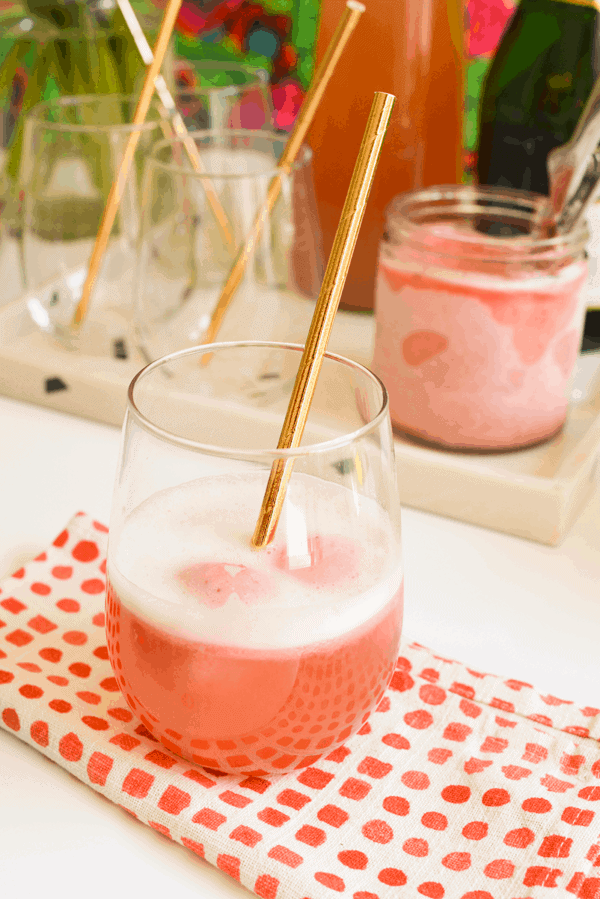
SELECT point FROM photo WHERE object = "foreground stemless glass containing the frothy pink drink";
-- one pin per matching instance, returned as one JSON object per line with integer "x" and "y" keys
{"x": 241, "y": 660}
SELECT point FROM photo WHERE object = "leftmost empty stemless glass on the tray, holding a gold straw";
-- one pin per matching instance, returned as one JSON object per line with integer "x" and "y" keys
{"x": 72, "y": 150}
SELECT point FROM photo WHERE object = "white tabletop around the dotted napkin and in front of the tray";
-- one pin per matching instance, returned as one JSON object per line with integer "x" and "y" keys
{"x": 496, "y": 602}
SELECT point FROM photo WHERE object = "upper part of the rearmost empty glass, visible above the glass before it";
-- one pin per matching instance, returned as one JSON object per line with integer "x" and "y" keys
{"x": 225, "y": 95}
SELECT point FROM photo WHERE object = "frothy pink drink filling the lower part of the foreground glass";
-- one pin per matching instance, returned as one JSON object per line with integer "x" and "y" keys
{"x": 244, "y": 661}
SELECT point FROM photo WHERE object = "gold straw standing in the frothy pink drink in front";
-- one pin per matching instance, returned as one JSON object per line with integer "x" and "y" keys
{"x": 324, "y": 314}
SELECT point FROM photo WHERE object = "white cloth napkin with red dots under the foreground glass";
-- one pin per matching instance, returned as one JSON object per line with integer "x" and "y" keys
{"x": 462, "y": 785}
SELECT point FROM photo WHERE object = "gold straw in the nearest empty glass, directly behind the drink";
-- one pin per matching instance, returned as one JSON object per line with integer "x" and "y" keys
{"x": 346, "y": 26}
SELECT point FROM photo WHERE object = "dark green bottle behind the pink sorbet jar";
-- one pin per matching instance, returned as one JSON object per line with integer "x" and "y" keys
{"x": 535, "y": 90}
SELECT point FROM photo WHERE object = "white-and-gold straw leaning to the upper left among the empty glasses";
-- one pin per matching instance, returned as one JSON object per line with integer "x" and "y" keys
{"x": 177, "y": 122}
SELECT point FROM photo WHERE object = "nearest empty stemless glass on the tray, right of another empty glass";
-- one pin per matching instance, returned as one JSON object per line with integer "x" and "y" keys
{"x": 184, "y": 261}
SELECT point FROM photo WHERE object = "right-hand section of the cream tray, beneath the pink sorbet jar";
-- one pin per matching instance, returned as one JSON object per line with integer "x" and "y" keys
{"x": 535, "y": 493}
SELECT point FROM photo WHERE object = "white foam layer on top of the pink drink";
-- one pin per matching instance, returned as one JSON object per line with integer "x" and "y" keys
{"x": 211, "y": 520}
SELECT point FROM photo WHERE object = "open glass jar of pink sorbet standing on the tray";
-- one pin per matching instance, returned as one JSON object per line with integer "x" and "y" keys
{"x": 479, "y": 322}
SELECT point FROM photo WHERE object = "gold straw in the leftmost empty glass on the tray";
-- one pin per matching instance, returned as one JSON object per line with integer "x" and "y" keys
{"x": 118, "y": 185}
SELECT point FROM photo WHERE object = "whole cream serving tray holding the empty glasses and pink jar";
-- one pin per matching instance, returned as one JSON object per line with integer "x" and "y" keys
{"x": 535, "y": 493}
